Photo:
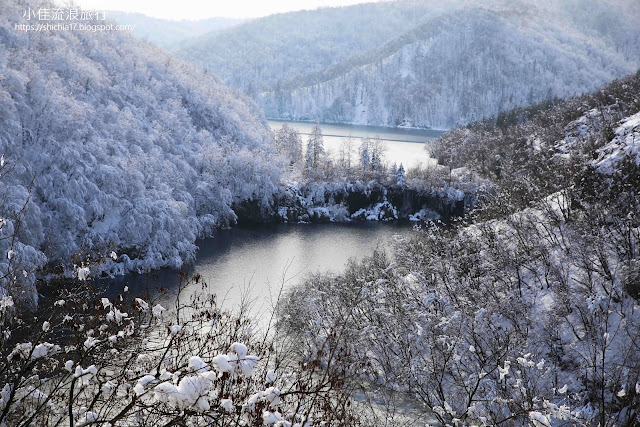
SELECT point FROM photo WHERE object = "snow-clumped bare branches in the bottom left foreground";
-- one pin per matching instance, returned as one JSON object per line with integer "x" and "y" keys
{"x": 87, "y": 361}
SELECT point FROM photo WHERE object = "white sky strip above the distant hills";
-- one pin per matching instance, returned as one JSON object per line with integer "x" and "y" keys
{"x": 201, "y": 9}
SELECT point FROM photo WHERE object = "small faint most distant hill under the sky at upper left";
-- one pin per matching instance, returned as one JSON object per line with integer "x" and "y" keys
{"x": 167, "y": 33}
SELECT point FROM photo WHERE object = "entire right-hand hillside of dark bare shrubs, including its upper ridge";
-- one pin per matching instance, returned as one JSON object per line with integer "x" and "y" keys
{"x": 526, "y": 313}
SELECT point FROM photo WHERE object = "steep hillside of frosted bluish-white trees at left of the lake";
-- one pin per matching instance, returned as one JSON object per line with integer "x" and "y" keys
{"x": 119, "y": 147}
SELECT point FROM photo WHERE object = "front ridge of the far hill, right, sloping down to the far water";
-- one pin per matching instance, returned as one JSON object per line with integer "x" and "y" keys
{"x": 458, "y": 68}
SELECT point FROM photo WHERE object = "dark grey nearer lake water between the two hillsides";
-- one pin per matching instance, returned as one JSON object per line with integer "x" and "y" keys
{"x": 254, "y": 262}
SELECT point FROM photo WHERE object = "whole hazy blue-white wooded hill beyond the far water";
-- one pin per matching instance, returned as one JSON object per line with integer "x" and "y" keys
{"x": 420, "y": 63}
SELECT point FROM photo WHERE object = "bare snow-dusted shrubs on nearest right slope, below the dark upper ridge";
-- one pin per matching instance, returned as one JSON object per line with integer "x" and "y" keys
{"x": 500, "y": 323}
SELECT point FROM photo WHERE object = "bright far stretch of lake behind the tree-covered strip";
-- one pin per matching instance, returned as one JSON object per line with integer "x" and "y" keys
{"x": 402, "y": 145}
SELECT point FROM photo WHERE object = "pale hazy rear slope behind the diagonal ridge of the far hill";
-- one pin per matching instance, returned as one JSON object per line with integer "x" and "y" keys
{"x": 270, "y": 51}
